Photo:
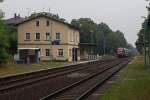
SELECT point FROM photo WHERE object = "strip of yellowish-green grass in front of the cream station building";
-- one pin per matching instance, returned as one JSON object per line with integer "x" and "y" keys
{"x": 11, "y": 69}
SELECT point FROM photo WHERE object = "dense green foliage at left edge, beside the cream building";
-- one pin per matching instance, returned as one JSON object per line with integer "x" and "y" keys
{"x": 8, "y": 42}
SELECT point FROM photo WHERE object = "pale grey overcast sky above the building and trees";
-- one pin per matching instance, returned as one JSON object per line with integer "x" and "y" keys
{"x": 124, "y": 15}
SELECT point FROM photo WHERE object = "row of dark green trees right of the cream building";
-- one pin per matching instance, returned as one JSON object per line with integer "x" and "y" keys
{"x": 90, "y": 32}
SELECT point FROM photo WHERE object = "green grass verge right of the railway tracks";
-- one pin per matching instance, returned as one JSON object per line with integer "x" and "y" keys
{"x": 133, "y": 84}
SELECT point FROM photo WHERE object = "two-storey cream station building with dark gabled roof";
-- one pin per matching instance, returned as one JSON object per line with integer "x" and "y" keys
{"x": 41, "y": 37}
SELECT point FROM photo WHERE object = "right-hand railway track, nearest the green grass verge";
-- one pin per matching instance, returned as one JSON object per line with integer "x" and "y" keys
{"x": 80, "y": 90}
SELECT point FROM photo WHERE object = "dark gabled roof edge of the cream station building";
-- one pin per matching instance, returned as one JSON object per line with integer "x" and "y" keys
{"x": 46, "y": 15}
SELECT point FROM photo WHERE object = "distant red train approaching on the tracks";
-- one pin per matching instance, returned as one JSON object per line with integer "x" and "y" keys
{"x": 123, "y": 52}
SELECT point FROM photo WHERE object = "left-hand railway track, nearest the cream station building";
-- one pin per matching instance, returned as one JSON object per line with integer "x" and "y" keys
{"x": 14, "y": 82}
